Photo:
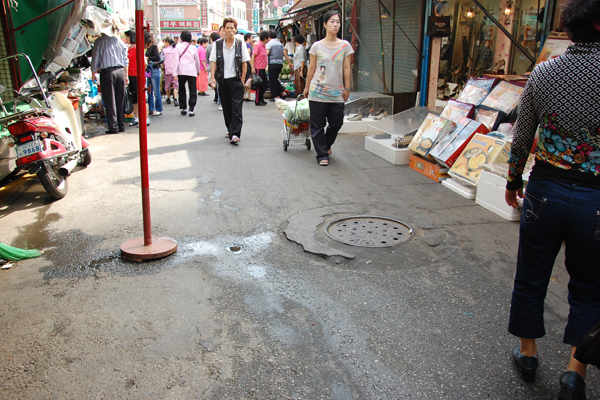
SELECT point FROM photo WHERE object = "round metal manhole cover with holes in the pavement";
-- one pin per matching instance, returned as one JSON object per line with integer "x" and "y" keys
{"x": 368, "y": 231}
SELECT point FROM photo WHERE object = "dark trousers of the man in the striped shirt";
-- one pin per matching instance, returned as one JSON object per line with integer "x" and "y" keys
{"x": 112, "y": 82}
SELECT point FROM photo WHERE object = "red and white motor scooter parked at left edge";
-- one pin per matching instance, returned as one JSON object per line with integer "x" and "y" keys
{"x": 45, "y": 132}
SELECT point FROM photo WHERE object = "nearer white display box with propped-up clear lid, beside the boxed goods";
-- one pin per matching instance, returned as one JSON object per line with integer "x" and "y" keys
{"x": 382, "y": 138}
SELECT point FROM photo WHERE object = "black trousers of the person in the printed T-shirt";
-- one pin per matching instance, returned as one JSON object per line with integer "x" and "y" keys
{"x": 322, "y": 114}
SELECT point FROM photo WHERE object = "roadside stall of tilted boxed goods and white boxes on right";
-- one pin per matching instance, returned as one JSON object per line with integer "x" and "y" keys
{"x": 466, "y": 144}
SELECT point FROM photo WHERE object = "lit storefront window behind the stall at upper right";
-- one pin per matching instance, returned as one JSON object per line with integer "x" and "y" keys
{"x": 477, "y": 46}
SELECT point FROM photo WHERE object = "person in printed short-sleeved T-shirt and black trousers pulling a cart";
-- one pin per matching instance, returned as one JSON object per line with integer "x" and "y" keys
{"x": 328, "y": 86}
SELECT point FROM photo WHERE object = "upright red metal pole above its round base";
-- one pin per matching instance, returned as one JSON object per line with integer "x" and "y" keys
{"x": 139, "y": 52}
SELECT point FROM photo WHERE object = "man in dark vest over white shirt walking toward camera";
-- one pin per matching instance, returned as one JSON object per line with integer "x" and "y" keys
{"x": 228, "y": 66}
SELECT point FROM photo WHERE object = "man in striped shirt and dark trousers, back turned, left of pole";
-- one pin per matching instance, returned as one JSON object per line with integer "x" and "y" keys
{"x": 109, "y": 58}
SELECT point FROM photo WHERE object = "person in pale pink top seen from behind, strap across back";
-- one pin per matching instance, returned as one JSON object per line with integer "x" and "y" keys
{"x": 187, "y": 67}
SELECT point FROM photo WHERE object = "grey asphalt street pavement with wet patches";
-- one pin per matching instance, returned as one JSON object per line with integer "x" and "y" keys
{"x": 293, "y": 314}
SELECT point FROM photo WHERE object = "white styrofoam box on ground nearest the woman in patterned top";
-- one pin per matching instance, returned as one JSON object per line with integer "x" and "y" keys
{"x": 490, "y": 195}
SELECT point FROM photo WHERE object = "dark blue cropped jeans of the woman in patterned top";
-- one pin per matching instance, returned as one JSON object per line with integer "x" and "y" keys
{"x": 554, "y": 212}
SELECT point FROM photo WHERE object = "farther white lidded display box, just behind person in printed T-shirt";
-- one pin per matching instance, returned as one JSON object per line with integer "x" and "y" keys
{"x": 367, "y": 102}
